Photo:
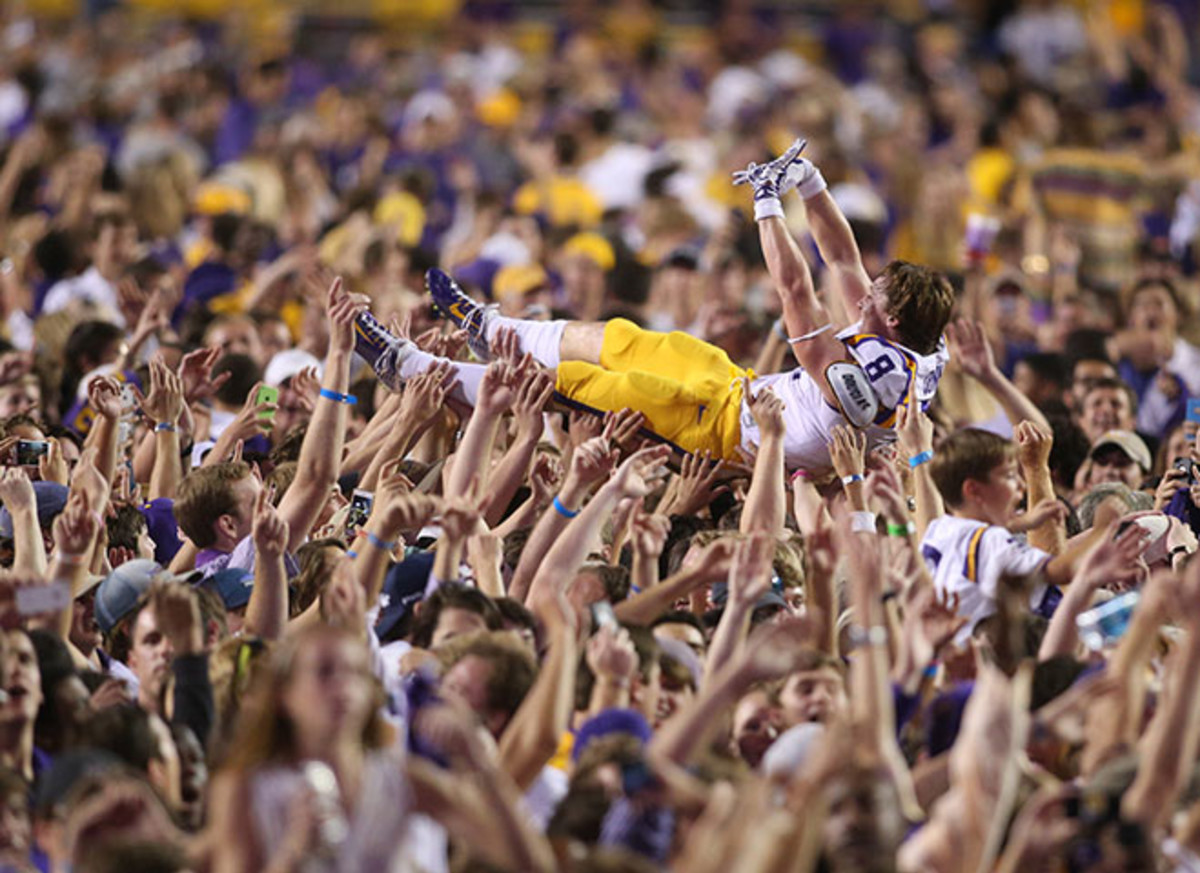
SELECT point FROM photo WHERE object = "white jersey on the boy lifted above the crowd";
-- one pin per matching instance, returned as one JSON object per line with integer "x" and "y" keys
{"x": 969, "y": 558}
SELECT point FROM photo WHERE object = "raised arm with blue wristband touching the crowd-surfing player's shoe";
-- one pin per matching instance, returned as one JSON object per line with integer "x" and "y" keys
{"x": 321, "y": 456}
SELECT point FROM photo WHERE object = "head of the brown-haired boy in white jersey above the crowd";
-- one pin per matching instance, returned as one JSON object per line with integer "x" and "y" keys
{"x": 977, "y": 475}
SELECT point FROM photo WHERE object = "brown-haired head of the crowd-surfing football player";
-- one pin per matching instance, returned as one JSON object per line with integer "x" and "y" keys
{"x": 913, "y": 304}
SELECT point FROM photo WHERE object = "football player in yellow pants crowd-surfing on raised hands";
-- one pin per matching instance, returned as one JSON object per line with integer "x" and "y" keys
{"x": 691, "y": 393}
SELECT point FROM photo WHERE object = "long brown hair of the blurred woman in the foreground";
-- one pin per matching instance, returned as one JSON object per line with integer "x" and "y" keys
{"x": 265, "y": 733}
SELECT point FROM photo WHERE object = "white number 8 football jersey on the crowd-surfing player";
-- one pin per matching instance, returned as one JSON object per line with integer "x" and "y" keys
{"x": 809, "y": 418}
